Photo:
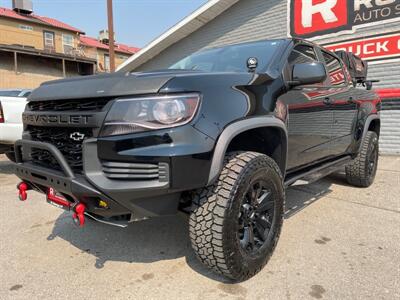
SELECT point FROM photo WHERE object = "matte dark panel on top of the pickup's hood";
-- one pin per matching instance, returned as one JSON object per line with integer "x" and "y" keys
{"x": 105, "y": 85}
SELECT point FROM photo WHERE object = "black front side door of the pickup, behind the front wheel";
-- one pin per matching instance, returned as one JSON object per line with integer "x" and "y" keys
{"x": 310, "y": 118}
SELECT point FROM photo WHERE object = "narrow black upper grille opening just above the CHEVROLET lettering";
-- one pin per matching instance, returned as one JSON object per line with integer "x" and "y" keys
{"x": 68, "y": 105}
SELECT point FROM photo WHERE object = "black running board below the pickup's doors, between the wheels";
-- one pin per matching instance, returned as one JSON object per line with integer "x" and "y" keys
{"x": 317, "y": 173}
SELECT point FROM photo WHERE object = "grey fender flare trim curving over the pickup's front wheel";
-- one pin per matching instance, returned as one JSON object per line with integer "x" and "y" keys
{"x": 232, "y": 130}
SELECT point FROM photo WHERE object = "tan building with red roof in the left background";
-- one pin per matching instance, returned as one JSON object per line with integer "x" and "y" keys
{"x": 34, "y": 49}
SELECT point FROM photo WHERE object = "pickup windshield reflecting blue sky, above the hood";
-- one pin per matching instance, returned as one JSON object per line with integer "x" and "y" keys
{"x": 231, "y": 58}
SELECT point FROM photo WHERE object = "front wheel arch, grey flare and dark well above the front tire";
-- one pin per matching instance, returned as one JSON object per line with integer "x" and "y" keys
{"x": 261, "y": 129}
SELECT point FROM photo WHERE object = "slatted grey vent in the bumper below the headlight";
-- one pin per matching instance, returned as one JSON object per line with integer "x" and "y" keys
{"x": 136, "y": 171}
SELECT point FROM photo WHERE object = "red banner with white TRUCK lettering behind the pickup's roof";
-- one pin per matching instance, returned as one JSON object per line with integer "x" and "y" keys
{"x": 377, "y": 48}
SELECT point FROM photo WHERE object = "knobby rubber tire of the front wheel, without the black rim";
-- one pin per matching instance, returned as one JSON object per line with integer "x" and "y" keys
{"x": 209, "y": 208}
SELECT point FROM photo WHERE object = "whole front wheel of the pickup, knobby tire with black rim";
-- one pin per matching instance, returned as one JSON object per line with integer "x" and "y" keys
{"x": 236, "y": 222}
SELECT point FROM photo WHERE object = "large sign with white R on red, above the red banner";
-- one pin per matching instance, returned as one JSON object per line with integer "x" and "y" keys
{"x": 309, "y": 18}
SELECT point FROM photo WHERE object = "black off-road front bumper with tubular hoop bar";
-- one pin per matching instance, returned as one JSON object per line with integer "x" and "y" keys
{"x": 138, "y": 198}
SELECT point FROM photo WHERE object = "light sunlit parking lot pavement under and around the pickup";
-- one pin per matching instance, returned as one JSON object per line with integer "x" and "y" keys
{"x": 338, "y": 242}
